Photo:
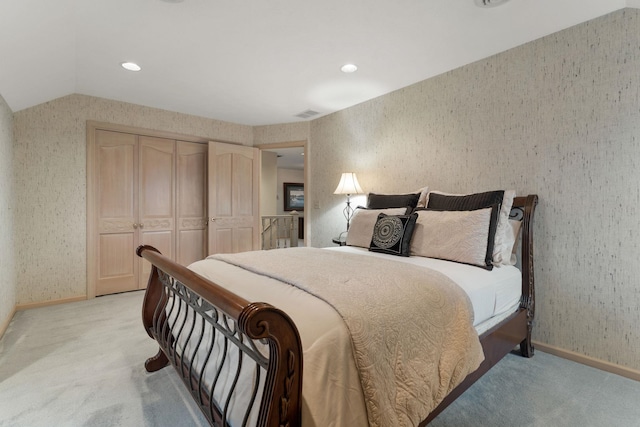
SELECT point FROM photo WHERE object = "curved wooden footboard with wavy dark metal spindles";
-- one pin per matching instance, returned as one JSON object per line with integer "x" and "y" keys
{"x": 195, "y": 335}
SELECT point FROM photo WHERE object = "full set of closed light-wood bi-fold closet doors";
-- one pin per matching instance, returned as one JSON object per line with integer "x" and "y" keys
{"x": 148, "y": 190}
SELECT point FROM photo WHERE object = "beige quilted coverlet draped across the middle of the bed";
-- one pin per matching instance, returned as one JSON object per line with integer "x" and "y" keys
{"x": 411, "y": 328}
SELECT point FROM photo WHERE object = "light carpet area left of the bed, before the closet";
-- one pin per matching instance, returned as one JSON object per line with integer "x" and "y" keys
{"x": 82, "y": 364}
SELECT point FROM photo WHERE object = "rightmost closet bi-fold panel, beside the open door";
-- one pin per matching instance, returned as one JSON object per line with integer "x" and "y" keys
{"x": 191, "y": 221}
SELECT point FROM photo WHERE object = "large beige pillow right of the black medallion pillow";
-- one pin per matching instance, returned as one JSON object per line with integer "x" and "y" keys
{"x": 461, "y": 236}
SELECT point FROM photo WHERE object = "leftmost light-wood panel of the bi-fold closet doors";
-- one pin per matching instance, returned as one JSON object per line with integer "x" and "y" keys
{"x": 116, "y": 211}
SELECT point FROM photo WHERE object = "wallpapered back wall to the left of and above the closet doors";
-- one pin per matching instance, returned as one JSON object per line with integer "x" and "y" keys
{"x": 50, "y": 193}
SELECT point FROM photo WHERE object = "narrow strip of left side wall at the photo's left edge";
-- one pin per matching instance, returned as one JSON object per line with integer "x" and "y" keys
{"x": 8, "y": 283}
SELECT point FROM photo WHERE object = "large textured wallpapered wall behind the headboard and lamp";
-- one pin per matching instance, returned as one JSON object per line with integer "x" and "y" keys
{"x": 559, "y": 117}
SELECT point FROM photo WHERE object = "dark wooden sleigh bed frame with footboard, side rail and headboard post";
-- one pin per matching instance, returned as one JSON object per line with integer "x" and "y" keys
{"x": 276, "y": 397}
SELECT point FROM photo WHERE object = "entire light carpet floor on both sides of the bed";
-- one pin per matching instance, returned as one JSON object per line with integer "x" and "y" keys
{"x": 81, "y": 364}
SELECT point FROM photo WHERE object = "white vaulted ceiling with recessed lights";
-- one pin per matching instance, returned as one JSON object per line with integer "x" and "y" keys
{"x": 257, "y": 62}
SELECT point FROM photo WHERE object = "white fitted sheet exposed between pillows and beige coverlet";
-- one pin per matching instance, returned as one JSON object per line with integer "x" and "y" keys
{"x": 492, "y": 293}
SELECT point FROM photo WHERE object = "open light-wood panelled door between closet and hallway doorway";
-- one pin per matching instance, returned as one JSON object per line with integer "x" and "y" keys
{"x": 234, "y": 196}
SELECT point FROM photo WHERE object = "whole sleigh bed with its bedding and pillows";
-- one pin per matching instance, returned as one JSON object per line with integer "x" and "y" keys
{"x": 242, "y": 360}
